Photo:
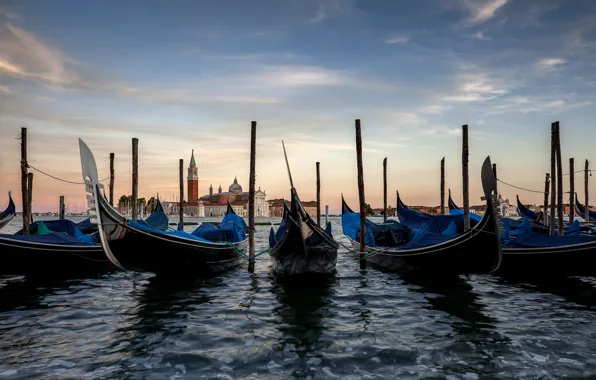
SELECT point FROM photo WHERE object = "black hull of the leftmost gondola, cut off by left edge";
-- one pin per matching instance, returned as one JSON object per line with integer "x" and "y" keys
{"x": 19, "y": 257}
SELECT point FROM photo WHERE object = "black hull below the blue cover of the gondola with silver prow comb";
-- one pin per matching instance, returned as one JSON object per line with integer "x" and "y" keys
{"x": 139, "y": 250}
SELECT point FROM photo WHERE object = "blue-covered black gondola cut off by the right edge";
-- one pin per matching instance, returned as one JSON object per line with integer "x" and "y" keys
{"x": 537, "y": 254}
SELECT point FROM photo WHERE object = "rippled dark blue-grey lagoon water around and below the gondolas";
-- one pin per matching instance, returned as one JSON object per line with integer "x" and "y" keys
{"x": 369, "y": 325}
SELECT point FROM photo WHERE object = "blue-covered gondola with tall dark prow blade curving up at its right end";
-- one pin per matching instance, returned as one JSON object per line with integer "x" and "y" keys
{"x": 477, "y": 250}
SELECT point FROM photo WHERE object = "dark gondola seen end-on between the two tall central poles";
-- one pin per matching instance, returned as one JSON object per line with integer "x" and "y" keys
{"x": 300, "y": 246}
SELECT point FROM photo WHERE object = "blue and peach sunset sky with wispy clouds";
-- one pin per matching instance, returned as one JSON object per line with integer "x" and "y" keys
{"x": 182, "y": 75}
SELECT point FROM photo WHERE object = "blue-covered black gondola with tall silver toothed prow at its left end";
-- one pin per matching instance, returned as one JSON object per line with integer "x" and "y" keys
{"x": 134, "y": 246}
